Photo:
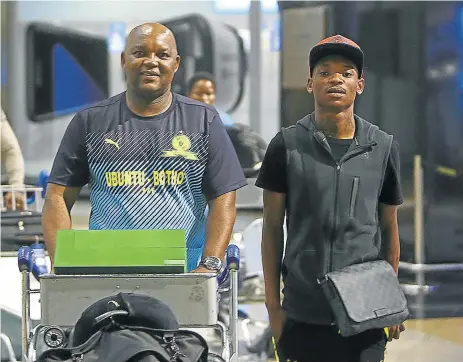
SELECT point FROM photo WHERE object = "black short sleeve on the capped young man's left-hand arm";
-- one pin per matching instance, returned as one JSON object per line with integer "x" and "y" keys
{"x": 272, "y": 175}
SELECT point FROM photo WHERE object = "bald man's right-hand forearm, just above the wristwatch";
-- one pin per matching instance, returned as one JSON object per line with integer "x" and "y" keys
{"x": 221, "y": 218}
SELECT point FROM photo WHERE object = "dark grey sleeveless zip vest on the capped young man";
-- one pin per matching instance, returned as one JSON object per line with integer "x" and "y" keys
{"x": 332, "y": 211}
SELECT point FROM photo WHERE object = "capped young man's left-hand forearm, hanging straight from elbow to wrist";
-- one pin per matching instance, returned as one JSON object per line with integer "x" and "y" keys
{"x": 272, "y": 254}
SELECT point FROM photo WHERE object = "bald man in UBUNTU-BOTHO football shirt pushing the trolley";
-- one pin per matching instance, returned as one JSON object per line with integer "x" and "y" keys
{"x": 153, "y": 159}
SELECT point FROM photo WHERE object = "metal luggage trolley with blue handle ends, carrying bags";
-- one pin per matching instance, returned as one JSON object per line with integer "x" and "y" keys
{"x": 193, "y": 298}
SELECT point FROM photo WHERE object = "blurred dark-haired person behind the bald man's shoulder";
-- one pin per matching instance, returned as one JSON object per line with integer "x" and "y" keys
{"x": 202, "y": 87}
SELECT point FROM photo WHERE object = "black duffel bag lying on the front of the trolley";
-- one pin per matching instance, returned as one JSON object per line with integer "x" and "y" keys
{"x": 129, "y": 328}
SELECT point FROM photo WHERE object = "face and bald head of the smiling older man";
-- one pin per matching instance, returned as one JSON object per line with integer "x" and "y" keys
{"x": 150, "y": 61}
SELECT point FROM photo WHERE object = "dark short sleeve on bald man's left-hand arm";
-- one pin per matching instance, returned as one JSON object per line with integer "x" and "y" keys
{"x": 70, "y": 167}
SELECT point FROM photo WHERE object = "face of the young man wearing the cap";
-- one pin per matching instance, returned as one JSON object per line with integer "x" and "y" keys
{"x": 335, "y": 83}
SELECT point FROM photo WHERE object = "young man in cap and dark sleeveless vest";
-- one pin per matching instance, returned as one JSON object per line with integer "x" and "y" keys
{"x": 328, "y": 175}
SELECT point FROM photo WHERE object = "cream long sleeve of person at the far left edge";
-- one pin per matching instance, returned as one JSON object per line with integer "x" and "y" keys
{"x": 12, "y": 158}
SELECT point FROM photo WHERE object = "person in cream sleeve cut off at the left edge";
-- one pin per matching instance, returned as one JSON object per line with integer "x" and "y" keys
{"x": 12, "y": 164}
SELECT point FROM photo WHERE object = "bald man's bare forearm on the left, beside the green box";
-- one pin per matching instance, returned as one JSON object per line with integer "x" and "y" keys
{"x": 55, "y": 216}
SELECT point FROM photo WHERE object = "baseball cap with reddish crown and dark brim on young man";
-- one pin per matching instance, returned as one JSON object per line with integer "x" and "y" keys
{"x": 337, "y": 45}
